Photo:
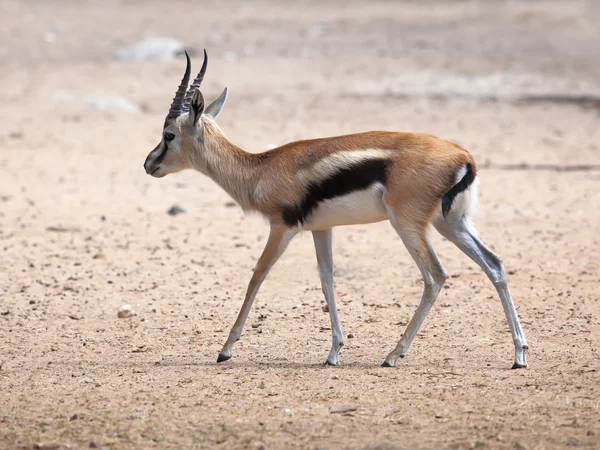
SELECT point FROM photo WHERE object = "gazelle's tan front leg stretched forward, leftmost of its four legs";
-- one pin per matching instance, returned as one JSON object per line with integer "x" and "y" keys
{"x": 279, "y": 238}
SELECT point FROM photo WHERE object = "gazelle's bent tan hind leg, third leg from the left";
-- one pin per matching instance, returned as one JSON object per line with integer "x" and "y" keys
{"x": 416, "y": 240}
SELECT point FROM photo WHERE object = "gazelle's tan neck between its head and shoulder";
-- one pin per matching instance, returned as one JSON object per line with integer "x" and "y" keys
{"x": 232, "y": 168}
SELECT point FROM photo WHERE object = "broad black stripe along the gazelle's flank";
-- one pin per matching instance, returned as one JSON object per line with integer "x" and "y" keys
{"x": 356, "y": 177}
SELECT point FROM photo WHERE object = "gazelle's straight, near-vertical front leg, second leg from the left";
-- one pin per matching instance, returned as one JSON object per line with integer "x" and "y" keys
{"x": 323, "y": 241}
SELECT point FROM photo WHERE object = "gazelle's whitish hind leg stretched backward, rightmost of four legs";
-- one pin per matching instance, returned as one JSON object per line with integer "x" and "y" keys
{"x": 462, "y": 233}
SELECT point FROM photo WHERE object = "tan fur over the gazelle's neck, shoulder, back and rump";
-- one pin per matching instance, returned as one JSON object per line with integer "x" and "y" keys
{"x": 422, "y": 171}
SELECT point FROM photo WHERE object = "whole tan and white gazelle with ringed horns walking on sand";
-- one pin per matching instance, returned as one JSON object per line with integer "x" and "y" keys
{"x": 412, "y": 180}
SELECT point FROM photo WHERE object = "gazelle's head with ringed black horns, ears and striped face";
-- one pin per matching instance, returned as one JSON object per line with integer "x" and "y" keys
{"x": 183, "y": 131}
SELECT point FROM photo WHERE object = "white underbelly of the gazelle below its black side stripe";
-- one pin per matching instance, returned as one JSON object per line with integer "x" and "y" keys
{"x": 358, "y": 207}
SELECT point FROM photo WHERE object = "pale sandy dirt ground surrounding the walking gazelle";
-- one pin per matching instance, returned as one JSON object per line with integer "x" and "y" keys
{"x": 83, "y": 230}
